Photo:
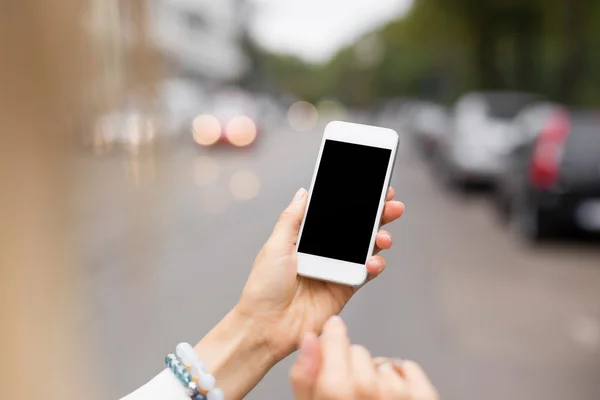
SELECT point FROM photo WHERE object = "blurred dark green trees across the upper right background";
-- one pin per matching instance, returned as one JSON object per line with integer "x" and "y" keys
{"x": 443, "y": 48}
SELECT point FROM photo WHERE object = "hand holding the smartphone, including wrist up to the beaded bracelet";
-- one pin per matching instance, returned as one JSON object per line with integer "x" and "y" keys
{"x": 277, "y": 307}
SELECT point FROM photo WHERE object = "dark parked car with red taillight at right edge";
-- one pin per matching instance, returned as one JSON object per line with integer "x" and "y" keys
{"x": 552, "y": 183}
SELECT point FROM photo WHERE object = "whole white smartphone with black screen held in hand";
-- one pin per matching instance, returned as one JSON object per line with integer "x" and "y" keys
{"x": 345, "y": 202}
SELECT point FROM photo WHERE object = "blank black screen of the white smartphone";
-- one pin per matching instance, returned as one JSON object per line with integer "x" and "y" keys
{"x": 344, "y": 201}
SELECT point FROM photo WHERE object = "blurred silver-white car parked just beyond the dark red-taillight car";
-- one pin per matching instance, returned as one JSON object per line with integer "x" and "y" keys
{"x": 474, "y": 149}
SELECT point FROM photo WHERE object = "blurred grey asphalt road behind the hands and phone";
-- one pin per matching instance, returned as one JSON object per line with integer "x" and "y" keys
{"x": 167, "y": 243}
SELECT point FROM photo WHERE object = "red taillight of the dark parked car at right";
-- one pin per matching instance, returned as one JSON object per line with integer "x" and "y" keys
{"x": 548, "y": 151}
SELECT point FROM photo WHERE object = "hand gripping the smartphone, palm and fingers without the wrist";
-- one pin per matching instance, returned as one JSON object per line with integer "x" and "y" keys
{"x": 285, "y": 305}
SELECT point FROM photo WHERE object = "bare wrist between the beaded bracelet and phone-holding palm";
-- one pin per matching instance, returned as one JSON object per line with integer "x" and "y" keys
{"x": 237, "y": 354}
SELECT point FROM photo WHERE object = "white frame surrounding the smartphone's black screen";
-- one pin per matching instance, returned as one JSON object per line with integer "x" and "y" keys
{"x": 330, "y": 269}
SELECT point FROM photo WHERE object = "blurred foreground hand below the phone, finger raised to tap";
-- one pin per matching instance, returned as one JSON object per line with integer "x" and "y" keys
{"x": 330, "y": 368}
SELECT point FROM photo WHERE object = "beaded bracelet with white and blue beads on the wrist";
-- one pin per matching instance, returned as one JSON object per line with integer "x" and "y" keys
{"x": 190, "y": 371}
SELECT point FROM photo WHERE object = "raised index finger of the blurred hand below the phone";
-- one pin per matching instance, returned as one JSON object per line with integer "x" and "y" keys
{"x": 335, "y": 347}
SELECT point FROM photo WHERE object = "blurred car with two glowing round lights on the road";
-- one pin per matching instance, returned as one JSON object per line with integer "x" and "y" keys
{"x": 231, "y": 119}
